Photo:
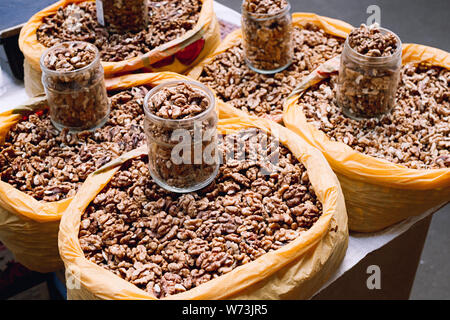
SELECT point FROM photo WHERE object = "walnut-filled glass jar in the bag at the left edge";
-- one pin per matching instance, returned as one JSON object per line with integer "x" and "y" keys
{"x": 77, "y": 99}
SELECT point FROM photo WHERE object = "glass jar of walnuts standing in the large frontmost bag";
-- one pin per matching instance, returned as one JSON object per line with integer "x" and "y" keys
{"x": 183, "y": 154}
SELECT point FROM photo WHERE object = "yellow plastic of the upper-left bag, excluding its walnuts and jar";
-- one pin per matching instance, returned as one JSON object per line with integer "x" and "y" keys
{"x": 207, "y": 31}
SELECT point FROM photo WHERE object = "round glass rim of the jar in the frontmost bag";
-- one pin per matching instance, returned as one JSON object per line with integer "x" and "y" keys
{"x": 199, "y": 116}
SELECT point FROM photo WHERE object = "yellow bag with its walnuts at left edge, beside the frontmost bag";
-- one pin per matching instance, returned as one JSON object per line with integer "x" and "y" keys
{"x": 42, "y": 168}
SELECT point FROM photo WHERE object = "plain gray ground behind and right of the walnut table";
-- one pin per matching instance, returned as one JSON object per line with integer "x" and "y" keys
{"x": 415, "y": 21}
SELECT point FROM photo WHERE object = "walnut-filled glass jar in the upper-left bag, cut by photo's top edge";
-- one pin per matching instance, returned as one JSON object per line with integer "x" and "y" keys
{"x": 122, "y": 15}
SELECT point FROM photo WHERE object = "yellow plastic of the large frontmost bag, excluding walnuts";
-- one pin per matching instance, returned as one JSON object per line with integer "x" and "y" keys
{"x": 295, "y": 271}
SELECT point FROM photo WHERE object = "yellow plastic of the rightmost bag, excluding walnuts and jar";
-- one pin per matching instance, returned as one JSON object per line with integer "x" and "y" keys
{"x": 378, "y": 193}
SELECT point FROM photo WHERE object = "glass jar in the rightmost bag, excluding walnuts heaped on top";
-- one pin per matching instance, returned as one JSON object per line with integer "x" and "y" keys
{"x": 367, "y": 85}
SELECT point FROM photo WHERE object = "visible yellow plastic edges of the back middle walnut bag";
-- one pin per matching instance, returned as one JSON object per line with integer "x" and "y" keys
{"x": 329, "y": 25}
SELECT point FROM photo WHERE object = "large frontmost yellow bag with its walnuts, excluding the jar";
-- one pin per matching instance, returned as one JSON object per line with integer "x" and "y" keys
{"x": 221, "y": 242}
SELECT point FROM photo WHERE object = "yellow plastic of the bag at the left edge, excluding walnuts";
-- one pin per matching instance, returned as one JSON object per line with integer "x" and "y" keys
{"x": 28, "y": 227}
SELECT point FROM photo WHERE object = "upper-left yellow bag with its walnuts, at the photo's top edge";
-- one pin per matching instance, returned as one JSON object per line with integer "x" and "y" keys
{"x": 179, "y": 35}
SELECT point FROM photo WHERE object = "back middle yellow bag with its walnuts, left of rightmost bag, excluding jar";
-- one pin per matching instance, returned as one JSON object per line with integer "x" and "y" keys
{"x": 315, "y": 40}
